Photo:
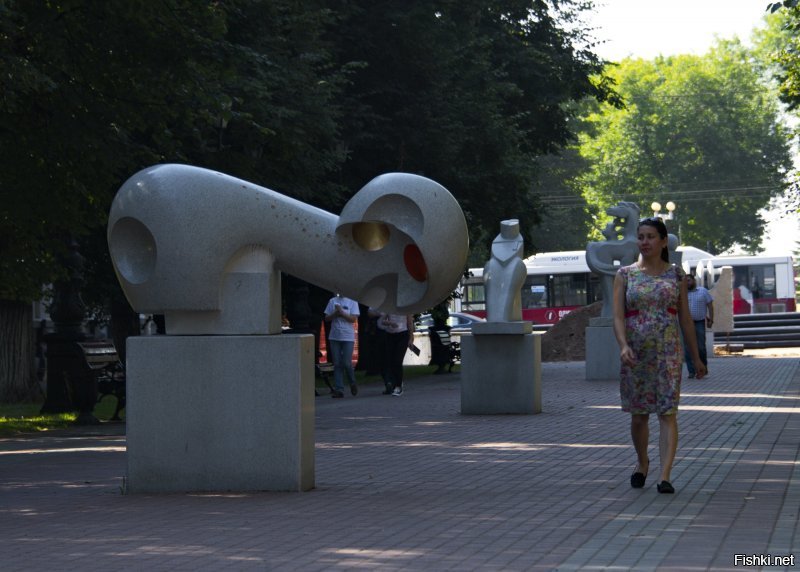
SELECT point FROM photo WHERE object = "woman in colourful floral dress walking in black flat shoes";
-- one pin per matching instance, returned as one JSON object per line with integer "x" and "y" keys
{"x": 649, "y": 305}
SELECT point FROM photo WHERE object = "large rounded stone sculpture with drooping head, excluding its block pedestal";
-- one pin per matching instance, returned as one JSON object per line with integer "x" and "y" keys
{"x": 205, "y": 249}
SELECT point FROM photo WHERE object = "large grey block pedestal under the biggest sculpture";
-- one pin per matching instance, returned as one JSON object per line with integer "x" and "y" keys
{"x": 220, "y": 413}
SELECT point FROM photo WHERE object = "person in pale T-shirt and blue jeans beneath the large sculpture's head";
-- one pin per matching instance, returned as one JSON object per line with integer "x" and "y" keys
{"x": 342, "y": 313}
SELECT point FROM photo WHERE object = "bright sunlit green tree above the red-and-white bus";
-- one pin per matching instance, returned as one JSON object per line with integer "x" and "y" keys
{"x": 702, "y": 131}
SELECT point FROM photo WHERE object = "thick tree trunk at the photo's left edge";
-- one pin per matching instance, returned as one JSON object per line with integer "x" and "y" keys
{"x": 17, "y": 353}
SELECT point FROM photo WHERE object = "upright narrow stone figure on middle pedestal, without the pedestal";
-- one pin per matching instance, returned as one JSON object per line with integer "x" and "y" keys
{"x": 504, "y": 275}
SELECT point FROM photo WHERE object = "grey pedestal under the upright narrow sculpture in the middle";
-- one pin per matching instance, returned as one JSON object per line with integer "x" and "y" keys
{"x": 501, "y": 373}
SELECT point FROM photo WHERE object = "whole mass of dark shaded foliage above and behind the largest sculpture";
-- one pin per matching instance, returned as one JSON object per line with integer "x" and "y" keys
{"x": 312, "y": 98}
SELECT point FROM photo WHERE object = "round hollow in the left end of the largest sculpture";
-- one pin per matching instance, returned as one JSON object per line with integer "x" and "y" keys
{"x": 133, "y": 249}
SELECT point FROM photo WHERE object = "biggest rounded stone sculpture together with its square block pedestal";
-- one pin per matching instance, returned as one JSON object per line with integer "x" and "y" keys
{"x": 219, "y": 403}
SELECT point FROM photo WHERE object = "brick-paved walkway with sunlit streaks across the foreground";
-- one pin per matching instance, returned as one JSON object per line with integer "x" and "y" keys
{"x": 408, "y": 483}
